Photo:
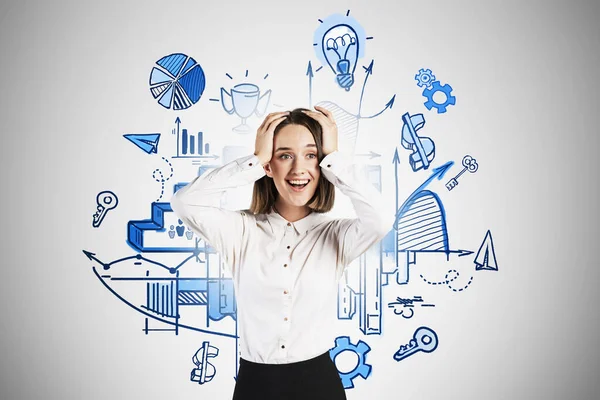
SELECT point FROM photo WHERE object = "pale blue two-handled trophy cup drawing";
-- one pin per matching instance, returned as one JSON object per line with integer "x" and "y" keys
{"x": 245, "y": 100}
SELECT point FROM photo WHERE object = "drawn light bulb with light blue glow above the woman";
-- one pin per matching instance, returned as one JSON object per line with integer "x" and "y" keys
{"x": 339, "y": 42}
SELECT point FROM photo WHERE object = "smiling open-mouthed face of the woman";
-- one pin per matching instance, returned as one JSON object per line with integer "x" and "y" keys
{"x": 295, "y": 160}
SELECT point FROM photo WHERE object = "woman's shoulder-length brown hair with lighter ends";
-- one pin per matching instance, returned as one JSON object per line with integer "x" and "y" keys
{"x": 265, "y": 193}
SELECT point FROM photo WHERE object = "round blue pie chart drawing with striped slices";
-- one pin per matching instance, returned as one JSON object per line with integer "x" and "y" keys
{"x": 177, "y": 81}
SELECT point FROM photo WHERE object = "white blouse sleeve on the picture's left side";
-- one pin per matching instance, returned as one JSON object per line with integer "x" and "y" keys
{"x": 197, "y": 204}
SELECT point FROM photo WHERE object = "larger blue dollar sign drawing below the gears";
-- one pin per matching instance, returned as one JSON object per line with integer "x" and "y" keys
{"x": 423, "y": 148}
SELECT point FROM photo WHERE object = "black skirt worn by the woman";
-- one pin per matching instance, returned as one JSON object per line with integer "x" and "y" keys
{"x": 314, "y": 379}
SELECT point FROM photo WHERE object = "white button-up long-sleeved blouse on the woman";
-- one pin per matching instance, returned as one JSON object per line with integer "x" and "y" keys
{"x": 285, "y": 274}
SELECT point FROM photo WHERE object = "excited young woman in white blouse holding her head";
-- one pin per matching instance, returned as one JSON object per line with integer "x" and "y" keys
{"x": 284, "y": 254}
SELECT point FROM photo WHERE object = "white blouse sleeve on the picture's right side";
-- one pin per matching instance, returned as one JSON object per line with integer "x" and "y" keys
{"x": 372, "y": 223}
